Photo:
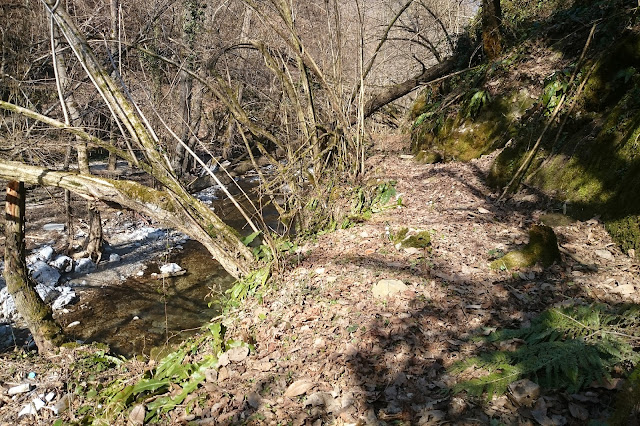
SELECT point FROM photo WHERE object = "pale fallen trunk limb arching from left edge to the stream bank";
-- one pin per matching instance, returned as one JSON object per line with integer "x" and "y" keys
{"x": 186, "y": 214}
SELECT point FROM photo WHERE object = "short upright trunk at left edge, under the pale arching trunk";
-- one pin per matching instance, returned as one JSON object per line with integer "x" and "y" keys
{"x": 46, "y": 332}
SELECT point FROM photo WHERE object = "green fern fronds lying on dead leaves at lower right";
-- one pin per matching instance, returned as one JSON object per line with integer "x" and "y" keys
{"x": 563, "y": 348}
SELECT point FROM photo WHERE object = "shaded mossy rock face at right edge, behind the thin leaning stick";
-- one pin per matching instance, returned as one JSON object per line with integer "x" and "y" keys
{"x": 593, "y": 162}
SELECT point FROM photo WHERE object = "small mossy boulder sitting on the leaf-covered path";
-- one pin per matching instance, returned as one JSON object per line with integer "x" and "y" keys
{"x": 542, "y": 248}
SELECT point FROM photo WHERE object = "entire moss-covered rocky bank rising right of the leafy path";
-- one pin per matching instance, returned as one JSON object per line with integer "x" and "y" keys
{"x": 589, "y": 159}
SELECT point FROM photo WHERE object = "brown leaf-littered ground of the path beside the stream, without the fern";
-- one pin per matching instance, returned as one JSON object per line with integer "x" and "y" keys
{"x": 334, "y": 345}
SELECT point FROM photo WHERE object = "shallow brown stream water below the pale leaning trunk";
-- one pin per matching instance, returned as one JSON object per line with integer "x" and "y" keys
{"x": 168, "y": 310}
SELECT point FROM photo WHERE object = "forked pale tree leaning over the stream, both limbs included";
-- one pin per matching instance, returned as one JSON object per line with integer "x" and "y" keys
{"x": 177, "y": 207}
